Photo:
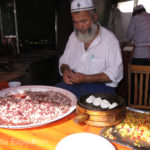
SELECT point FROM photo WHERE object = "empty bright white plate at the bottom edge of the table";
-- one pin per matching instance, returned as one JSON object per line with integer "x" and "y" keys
{"x": 84, "y": 141}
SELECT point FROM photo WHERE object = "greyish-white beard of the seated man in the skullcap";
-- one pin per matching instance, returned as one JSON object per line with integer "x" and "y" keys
{"x": 89, "y": 35}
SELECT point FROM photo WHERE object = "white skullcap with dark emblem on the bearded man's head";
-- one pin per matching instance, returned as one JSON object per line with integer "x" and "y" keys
{"x": 81, "y": 5}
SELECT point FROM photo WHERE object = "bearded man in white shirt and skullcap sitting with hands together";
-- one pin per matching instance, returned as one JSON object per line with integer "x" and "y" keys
{"x": 92, "y": 59}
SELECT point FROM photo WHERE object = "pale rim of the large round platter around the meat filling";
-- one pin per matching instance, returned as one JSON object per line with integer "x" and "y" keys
{"x": 39, "y": 88}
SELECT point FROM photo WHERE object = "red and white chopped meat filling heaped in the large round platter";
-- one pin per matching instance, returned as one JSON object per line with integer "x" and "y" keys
{"x": 32, "y": 107}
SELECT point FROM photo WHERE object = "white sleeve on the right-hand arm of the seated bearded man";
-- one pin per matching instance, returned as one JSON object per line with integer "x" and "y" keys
{"x": 114, "y": 64}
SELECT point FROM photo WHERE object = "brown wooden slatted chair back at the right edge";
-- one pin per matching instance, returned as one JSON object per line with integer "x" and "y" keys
{"x": 139, "y": 86}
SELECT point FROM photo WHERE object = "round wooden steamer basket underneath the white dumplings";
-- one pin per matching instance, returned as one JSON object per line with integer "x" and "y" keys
{"x": 97, "y": 116}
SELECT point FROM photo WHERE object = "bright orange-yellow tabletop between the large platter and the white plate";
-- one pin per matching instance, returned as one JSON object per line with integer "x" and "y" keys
{"x": 45, "y": 137}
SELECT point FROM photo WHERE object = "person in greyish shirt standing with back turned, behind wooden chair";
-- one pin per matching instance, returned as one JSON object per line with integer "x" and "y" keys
{"x": 139, "y": 32}
